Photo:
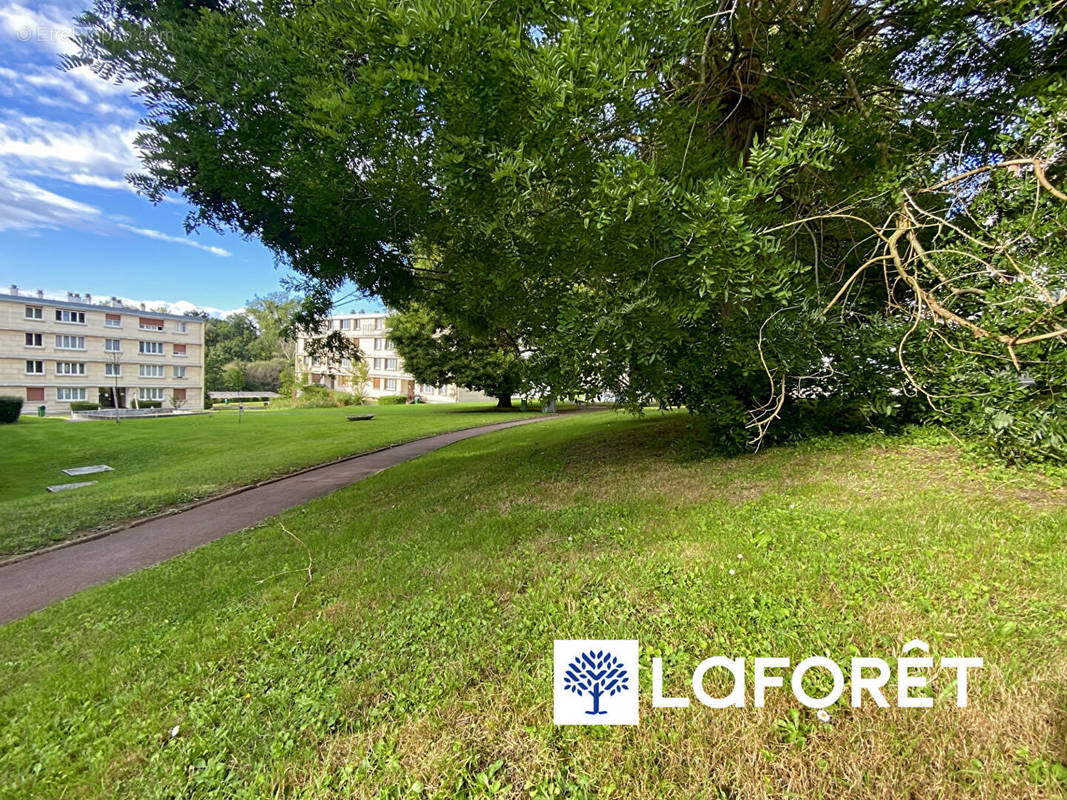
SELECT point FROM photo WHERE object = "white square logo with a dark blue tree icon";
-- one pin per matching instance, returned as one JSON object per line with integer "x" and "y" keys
{"x": 595, "y": 682}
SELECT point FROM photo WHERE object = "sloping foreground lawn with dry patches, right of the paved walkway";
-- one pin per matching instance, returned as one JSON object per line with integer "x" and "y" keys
{"x": 418, "y": 661}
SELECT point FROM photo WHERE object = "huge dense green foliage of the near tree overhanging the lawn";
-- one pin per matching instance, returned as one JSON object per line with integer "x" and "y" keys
{"x": 738, "y": 207}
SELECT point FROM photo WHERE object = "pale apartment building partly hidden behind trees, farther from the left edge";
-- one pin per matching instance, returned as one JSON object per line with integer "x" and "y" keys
{"x": 386, "y": 376}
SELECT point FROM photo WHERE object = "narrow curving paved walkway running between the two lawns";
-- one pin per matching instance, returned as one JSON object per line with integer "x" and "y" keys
{"x": 40, "y": 581}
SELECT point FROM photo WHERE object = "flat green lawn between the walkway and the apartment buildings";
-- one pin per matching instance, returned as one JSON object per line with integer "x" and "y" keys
{"x": 166, "y": 462}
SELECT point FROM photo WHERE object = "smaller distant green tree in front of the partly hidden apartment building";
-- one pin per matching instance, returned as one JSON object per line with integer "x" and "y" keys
{"x": 437, "y": 353}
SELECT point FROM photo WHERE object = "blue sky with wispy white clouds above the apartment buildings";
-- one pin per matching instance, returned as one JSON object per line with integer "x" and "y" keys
{"x": 69, "y": 220}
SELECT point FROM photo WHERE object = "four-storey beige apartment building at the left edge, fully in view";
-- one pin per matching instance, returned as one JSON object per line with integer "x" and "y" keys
{"x": 56, "y": 353}
